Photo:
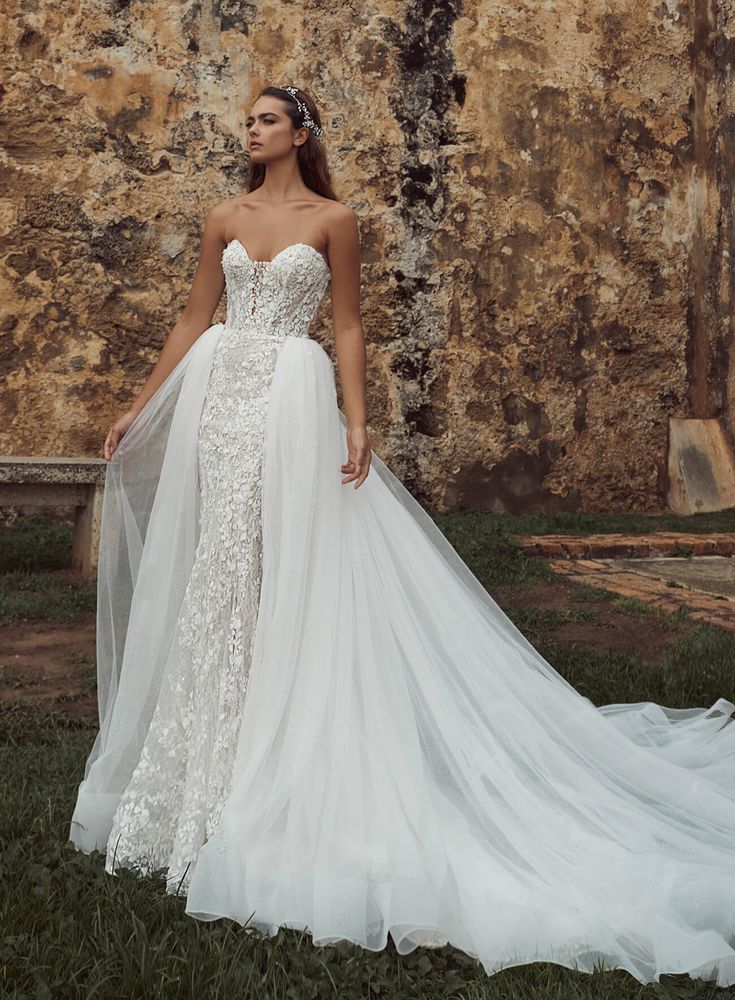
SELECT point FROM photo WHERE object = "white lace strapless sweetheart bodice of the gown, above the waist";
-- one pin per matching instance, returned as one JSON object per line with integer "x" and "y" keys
{"x": 273, "y": 298}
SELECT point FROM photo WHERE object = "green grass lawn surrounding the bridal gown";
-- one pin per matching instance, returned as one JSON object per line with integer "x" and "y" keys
{"x": 67, "y": 929}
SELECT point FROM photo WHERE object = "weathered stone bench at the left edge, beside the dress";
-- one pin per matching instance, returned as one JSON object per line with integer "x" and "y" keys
{"x": 56, "y": 482}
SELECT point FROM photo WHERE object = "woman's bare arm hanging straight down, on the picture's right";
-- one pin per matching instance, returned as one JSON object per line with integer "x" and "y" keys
{"x": 349, "y": 339}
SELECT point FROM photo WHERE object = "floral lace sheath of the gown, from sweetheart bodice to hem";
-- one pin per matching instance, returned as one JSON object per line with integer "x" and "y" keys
{"x": 173, "y": 801}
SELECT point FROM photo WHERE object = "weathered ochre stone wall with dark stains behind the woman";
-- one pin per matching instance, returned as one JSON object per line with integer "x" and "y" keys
{"x": 545, "y": 198}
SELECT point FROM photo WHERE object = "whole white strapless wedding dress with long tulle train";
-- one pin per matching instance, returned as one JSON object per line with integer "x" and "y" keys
{"x": 312, "y": 714}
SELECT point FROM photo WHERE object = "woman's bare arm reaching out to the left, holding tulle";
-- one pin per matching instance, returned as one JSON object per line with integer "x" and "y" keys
{"x": 196, "y": 317}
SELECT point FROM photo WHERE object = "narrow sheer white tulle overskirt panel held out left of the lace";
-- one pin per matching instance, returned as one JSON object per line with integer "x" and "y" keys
{"x": 148, "y": 536}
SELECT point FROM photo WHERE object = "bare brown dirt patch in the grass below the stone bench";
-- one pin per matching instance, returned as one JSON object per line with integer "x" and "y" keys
{"x": 51, "y": 667}
